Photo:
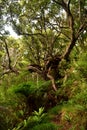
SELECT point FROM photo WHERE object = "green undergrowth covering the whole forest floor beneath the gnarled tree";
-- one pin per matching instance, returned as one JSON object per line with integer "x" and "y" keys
{"x": 21, "y": 91}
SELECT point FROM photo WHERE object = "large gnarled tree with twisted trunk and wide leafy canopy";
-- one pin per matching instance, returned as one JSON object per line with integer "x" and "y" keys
{"x": 50, "y": 29}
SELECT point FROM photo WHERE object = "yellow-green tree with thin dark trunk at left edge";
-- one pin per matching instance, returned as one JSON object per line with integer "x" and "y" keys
{"x": 11, "y": 53}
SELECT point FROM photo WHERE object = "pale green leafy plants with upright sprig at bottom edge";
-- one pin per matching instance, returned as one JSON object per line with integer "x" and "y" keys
{"x": 37, "y": 121}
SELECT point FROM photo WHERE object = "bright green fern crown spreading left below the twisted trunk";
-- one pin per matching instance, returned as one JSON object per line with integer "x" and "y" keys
{"x": 31, "y": 87}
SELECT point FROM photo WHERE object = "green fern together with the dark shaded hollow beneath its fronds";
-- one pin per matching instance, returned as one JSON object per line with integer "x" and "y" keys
{"x": 33, "y": 92}
